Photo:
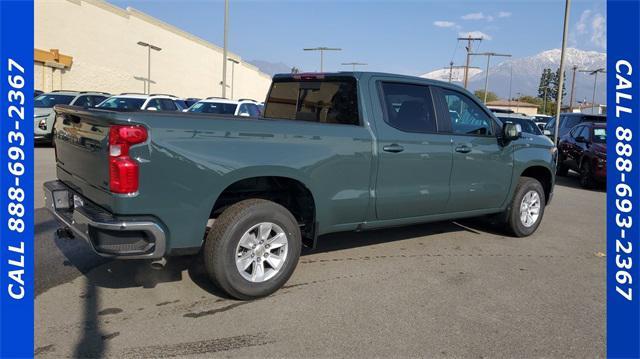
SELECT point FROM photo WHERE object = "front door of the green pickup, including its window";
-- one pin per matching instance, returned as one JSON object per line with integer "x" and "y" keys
{"x": 482, "y": 167}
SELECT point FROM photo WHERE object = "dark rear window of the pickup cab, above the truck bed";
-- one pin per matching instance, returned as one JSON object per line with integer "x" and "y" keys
{"x": 326, "y": 101}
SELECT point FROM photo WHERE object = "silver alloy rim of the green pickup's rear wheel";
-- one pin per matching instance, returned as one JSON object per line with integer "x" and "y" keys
{"x": 261, "y": 252}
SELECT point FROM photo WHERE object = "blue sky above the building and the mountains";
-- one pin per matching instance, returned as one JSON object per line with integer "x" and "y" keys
{"x": 410, "y": 37}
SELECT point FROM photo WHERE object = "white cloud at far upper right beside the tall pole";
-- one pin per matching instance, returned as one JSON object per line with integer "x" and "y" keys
{"x": 589, "y": 31}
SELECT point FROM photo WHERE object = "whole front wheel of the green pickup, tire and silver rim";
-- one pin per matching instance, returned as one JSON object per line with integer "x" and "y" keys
{"x": 527, "y": 207}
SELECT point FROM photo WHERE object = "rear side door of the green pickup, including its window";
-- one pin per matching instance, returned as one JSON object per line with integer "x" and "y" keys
{"x": 414, "y": 160}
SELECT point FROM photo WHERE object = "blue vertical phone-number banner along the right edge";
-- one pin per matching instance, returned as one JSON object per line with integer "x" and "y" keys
{"x": 623, "y": 179}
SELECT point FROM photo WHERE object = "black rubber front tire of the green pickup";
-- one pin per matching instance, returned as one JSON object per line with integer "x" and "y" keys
{"x": 514, "y": 223}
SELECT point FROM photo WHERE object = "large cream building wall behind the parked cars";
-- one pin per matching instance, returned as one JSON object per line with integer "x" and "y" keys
{"x": 102, "y": 39}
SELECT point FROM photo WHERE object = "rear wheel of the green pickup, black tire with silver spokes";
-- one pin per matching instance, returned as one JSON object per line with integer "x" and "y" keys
{"x": 222, "y": 247}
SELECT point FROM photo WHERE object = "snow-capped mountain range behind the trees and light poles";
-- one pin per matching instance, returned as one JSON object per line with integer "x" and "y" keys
{"x": 527, "y": 71}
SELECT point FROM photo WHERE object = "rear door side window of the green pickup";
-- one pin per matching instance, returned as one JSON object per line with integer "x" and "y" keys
{"x": 408, "y": 107}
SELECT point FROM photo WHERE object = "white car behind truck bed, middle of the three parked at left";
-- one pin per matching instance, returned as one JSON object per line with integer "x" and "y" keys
{"x": 136, "y": 101}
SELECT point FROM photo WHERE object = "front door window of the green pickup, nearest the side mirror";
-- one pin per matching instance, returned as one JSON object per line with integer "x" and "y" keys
{"x": 466, "y": 116}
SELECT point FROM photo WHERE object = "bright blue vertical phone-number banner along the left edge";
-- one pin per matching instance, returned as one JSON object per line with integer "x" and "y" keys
{"x": 16, "y": 179}
